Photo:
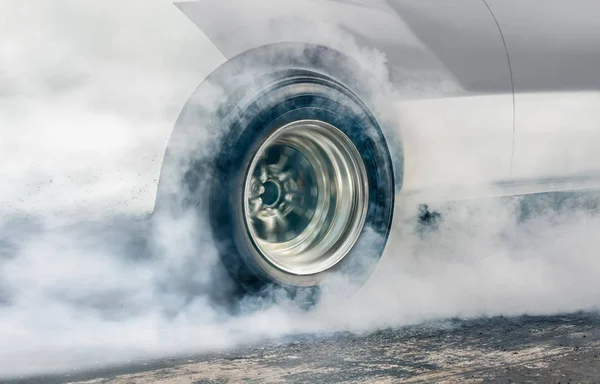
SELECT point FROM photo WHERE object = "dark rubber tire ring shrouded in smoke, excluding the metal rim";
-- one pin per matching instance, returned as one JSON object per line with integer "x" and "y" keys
{"x": 232, "y": 113}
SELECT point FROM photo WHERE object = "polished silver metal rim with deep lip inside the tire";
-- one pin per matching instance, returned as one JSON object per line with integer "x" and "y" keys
{"x": 305, "y": 197}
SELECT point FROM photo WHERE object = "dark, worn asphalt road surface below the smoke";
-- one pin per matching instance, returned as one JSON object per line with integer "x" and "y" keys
{"x": 558, "y": 349}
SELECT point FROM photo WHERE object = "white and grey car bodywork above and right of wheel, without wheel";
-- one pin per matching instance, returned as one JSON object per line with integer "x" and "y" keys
{"x": 495, "y": 97}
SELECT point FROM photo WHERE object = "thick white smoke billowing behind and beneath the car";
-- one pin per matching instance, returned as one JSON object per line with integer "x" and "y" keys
{"x": 90, "y": 92}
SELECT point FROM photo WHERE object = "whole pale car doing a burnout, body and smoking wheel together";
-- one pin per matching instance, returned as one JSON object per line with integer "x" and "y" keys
{"x": 328, "y": 114}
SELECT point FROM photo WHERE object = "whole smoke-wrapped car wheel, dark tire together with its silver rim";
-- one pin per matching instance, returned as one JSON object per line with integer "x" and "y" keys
{"x": 278, "y": 154}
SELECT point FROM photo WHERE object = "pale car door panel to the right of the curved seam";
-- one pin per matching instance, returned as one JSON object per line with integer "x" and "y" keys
{"x": 554, "y": 48}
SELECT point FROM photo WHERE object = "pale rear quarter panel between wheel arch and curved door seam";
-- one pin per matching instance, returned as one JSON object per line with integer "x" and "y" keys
{"x": 453, "y": 101}
